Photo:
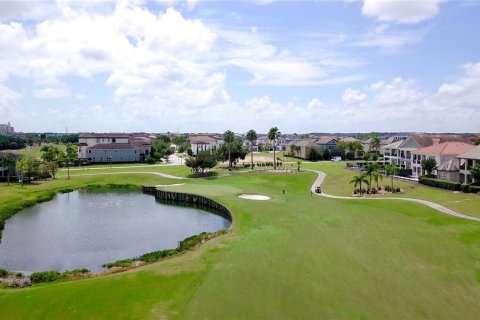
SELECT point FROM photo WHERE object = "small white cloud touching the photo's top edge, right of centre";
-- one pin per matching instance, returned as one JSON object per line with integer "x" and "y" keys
{"x": 400, "y": 10}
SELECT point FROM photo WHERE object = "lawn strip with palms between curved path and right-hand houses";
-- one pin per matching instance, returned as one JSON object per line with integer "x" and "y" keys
{"x": 338, "y": 180}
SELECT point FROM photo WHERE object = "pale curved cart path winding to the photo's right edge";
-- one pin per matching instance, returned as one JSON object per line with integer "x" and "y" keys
{"x": 436, "y": 206}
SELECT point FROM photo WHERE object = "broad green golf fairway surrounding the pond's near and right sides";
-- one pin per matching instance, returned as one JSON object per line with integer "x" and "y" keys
{"x": 295, "y": 256}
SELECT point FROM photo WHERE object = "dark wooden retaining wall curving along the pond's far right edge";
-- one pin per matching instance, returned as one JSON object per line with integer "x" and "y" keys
{"x": 180, "y": 197}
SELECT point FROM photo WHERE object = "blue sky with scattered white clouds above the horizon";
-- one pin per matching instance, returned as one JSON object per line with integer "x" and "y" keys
{"x": 199, "y": 65}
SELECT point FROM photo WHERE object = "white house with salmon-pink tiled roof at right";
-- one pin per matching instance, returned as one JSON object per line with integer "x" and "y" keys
{"x": 445, "y": 154}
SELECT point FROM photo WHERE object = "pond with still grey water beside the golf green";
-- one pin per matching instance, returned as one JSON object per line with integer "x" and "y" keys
{"x": 84, "y": 229}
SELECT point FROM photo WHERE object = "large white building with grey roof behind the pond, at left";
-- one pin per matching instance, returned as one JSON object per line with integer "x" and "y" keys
{"x": 113, "y": 147}
